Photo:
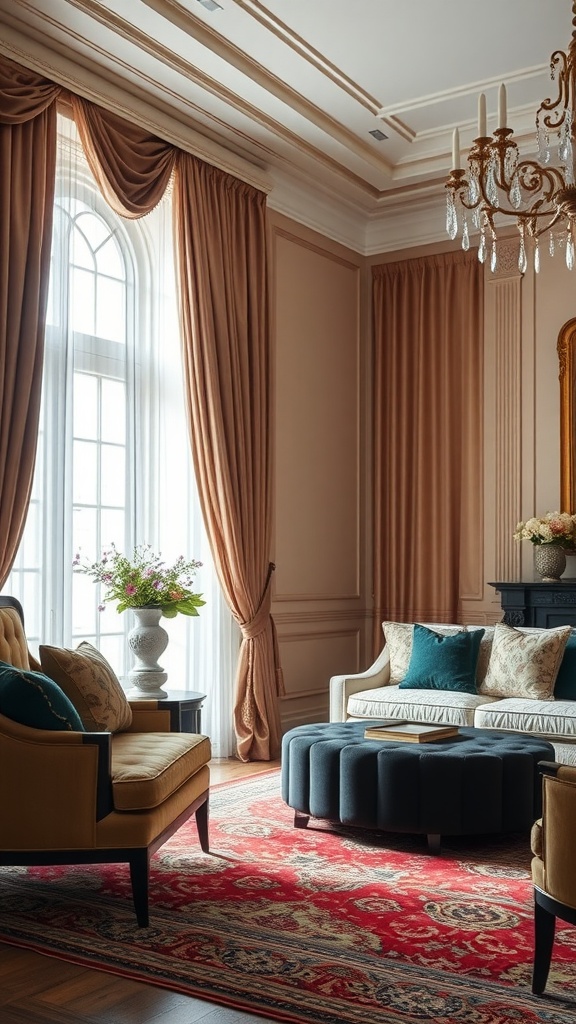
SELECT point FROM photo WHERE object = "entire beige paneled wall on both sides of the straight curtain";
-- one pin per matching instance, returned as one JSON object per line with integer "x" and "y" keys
{"x": 322, "y": 595}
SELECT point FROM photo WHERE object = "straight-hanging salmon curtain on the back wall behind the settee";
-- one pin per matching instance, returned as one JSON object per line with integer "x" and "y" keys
{"x": 429, "y": 402}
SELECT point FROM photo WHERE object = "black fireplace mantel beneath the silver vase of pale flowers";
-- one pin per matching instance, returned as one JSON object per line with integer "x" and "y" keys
{"x": 538, "y": 604}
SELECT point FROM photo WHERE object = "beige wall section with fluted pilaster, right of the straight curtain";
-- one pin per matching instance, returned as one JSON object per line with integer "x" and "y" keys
{"x": 523, "y": 317}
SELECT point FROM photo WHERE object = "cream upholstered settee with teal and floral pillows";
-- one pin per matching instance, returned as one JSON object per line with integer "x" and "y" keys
{"x": 518, "y": 680}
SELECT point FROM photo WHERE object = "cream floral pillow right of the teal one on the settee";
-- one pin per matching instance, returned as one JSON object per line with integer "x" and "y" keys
{"x": 524, "y": 665}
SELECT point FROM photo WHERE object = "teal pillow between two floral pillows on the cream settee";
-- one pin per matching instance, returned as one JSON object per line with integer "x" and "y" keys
{"x": 443, "y": 663}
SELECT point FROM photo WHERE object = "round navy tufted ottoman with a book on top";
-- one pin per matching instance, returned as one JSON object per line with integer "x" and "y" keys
{"x": 478, "y": 783}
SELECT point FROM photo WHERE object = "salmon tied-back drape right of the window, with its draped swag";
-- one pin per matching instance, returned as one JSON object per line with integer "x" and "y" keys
{"x": 222, "y": 261}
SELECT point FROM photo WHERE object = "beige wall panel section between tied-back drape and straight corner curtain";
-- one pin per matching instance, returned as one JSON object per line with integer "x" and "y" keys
{"x": 322, "y": 535}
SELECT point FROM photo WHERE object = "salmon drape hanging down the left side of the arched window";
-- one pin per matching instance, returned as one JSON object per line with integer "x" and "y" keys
{"x": 28, "y": 154}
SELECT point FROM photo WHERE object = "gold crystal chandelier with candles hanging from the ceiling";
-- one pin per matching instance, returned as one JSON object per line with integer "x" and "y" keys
{"x": 540, "y": 194}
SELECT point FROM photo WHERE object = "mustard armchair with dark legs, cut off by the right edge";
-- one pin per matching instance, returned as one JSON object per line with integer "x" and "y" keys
{"x": 554, "y": 842}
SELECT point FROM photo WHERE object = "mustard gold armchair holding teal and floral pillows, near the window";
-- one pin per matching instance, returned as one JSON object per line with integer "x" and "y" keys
{"x": 72, "y": 794}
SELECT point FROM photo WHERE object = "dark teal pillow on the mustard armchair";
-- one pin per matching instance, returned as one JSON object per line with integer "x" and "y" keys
{"x": 31, "y": 699}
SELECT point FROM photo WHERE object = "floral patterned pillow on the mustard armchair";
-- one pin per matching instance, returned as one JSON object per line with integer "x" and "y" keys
{"x": 91, "y": 684}
